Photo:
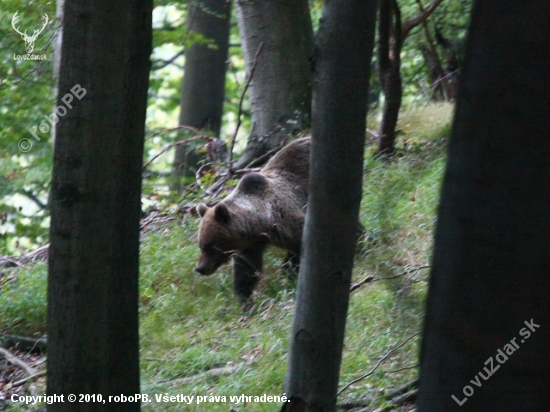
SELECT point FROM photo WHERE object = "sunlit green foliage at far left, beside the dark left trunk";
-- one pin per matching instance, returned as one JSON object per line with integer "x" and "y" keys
{"x": 26, "y": 96}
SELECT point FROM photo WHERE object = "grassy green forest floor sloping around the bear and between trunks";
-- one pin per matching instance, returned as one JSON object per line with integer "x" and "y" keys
{"x": 196, "y": 341}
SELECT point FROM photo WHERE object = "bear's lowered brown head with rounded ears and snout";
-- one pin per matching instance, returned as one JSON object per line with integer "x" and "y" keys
{"x": 214, "y": 238}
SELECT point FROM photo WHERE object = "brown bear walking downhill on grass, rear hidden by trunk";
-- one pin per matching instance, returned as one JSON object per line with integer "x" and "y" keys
{"x": 266, "y": 208}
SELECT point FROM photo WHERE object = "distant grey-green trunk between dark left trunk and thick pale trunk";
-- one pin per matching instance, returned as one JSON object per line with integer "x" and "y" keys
{"x": 203, "y": 87}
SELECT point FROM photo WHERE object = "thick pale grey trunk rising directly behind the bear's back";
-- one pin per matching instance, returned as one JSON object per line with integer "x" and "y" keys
{"x": 280, "y": 92}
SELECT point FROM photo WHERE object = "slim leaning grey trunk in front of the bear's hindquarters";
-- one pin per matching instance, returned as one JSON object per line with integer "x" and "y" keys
{"x": 342, "y": 71}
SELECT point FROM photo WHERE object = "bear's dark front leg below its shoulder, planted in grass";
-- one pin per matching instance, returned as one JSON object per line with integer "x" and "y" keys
{"x": 247, "y": 267}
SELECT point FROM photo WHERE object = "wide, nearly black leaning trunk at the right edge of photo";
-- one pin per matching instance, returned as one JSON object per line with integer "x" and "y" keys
{"x": 491, "y": 260}
